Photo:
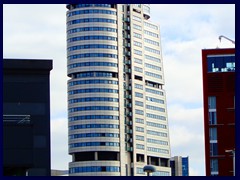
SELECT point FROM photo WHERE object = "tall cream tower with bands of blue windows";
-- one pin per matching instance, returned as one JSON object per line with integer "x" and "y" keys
{"x": 116, "y": 99}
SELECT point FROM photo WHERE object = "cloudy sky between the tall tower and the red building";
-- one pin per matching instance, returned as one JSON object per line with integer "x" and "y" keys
{"x": 185, "y": 31}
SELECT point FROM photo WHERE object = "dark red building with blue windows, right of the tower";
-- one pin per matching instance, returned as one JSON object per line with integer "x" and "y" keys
{"x": 219, "y": 110}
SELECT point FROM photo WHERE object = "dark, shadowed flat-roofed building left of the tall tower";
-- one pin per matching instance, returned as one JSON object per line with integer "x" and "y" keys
{"x": 26, "y": 117}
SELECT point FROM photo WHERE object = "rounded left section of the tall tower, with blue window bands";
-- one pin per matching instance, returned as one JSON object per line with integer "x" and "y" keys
{"x": 93, "y": 93}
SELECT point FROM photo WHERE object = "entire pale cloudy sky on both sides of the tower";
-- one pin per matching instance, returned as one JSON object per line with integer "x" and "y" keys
{"x": 38, "y": 31}
